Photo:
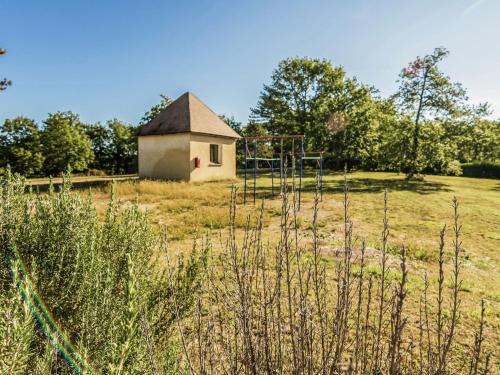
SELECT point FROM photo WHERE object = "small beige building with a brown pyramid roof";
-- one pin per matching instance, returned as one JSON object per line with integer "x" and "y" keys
{"x": 187, "y": 141}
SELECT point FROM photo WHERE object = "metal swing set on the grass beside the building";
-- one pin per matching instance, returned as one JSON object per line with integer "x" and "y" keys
{"x": 280, "y": 160}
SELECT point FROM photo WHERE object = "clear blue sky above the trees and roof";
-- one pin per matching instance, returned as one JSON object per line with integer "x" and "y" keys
{"x": 112, "y": 58}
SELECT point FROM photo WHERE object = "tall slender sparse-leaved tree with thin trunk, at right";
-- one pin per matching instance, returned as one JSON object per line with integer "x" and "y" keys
{"x": 425, "y": 93}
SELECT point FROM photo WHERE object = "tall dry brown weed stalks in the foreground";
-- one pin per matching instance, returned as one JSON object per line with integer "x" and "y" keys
{"x": 288, "y": 309}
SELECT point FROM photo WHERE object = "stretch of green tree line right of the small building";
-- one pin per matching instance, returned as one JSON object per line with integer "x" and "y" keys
{"x": 427, "y": 126}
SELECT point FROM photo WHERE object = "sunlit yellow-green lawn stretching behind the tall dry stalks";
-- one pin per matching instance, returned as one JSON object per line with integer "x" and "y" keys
{"x": 417, "y": 212}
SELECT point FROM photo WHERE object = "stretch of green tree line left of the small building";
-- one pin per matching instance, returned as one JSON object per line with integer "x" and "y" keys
{"x": 64, "y": 140}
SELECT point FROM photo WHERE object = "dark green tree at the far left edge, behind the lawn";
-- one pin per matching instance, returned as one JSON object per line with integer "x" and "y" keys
{"x": 20, "y": 146}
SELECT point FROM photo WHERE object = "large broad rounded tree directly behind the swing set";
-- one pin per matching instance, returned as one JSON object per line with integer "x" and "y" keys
{"x": 314, "y": 98}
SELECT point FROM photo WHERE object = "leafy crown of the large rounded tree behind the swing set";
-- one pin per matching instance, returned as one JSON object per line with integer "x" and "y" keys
{"x": 303, "y": 95}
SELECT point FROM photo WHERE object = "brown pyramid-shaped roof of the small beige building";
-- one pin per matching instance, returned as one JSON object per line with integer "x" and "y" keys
{"x": 187, "y": 114}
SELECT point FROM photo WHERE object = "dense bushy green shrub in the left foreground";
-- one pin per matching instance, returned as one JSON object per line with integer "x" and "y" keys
{"x": 98, "y": 279}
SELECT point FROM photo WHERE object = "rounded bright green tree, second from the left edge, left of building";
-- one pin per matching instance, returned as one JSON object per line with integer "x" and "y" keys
{"x": 64, "y": 144}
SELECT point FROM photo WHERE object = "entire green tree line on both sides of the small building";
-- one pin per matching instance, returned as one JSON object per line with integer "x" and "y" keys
{"x": 427, "y": 126}
